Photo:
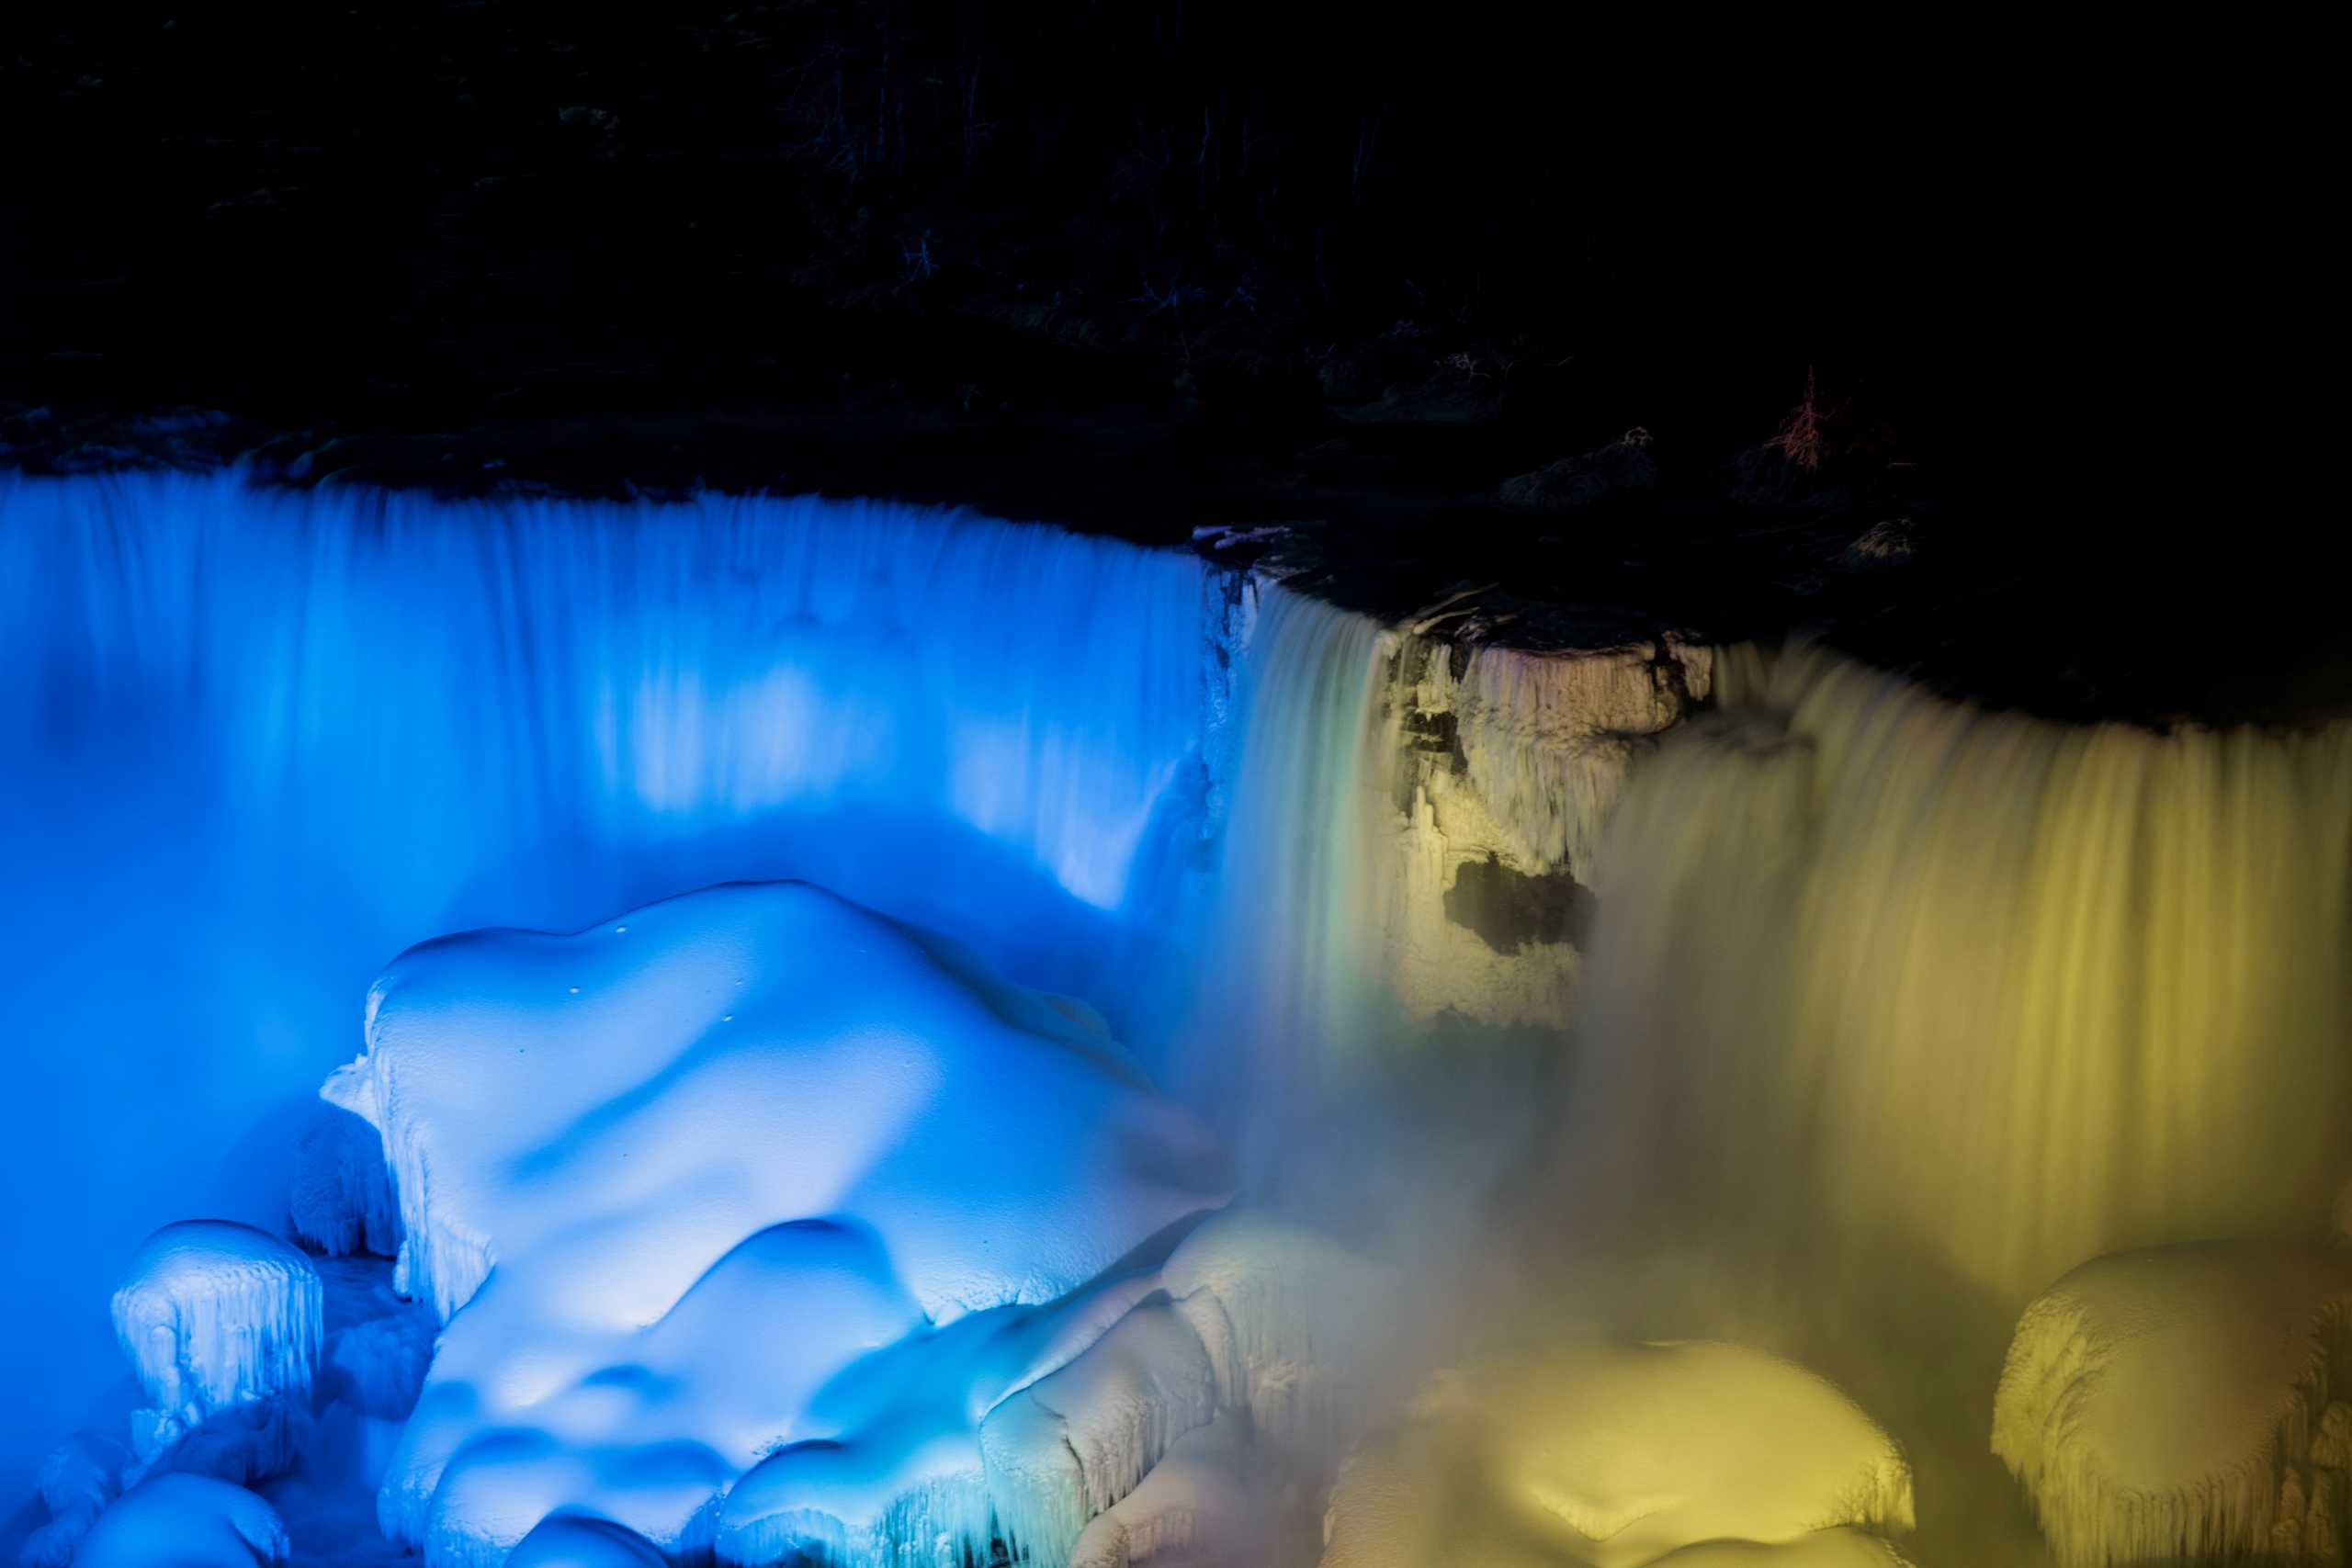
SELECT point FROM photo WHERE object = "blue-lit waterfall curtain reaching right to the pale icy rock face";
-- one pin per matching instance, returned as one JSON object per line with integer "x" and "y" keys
{"x": 260, "y": 742}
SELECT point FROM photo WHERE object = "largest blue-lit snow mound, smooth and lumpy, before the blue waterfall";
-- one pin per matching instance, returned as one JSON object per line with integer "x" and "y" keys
{"x": 624, "y": 1158}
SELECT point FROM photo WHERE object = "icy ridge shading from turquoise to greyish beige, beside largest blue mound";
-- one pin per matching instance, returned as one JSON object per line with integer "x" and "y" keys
{"x": 1118, "y": 1421}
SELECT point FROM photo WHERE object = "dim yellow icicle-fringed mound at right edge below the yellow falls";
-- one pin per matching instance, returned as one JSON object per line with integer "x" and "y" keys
{"x": 2177, "y": 1402}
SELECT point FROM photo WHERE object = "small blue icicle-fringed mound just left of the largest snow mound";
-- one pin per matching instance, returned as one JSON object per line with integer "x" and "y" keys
{"x": 220, "y": 1320}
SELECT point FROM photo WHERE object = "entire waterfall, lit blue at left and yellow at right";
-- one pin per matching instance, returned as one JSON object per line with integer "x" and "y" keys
{"x": 1862, "y": 977}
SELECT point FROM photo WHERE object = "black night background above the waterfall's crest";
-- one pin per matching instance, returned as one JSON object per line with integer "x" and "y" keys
{"x": 1142, "y": 267}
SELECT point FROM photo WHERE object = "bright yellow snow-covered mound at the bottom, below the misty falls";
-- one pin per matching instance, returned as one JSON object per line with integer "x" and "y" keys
{"x": 1615, "y": 1456}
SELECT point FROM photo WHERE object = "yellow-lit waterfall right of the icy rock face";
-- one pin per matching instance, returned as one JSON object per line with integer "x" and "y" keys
{"x": 1899, "y": 977}
